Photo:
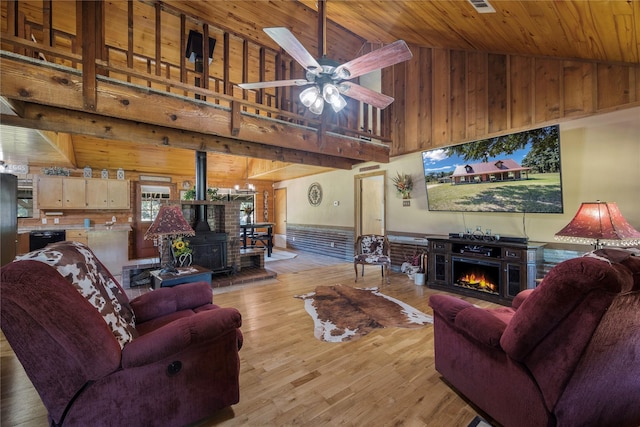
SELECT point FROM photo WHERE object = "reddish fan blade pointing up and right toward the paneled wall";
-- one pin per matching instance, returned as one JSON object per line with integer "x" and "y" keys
{"x": 385, "y": 56}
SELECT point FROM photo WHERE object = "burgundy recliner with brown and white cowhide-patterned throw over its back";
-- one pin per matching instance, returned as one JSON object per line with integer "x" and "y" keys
{"x": 166, "y": 358}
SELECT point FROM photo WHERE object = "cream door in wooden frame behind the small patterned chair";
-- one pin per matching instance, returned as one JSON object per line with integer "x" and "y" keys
{"x": 370, "y": 203}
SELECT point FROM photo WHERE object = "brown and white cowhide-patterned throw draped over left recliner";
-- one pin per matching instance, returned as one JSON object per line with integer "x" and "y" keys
{"x": 77, "y": 263}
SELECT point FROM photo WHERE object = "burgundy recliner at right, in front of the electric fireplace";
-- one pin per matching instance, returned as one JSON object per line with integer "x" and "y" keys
{"x": 565, "y": 354}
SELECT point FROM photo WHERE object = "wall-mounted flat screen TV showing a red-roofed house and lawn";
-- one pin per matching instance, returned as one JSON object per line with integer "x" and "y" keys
{"x": 519, "y": 172}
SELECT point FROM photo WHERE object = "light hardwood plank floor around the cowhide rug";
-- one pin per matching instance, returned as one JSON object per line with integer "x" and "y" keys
{"x": 288, "y": 377}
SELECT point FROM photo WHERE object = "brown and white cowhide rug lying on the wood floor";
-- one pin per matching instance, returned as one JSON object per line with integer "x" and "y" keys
{"x": 342, "y": 313}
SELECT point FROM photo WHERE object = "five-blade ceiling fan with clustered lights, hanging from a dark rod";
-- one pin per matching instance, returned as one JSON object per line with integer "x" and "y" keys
{"x": 329, "y": 80}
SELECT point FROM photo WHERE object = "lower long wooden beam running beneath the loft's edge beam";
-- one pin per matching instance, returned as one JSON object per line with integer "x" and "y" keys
{"x": 36, "y": 116}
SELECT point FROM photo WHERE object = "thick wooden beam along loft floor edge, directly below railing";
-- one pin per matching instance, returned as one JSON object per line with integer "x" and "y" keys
{"x": 60, "y": 87}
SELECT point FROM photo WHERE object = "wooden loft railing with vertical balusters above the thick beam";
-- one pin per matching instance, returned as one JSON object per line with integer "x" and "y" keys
{"x": 42, "y": 39}
